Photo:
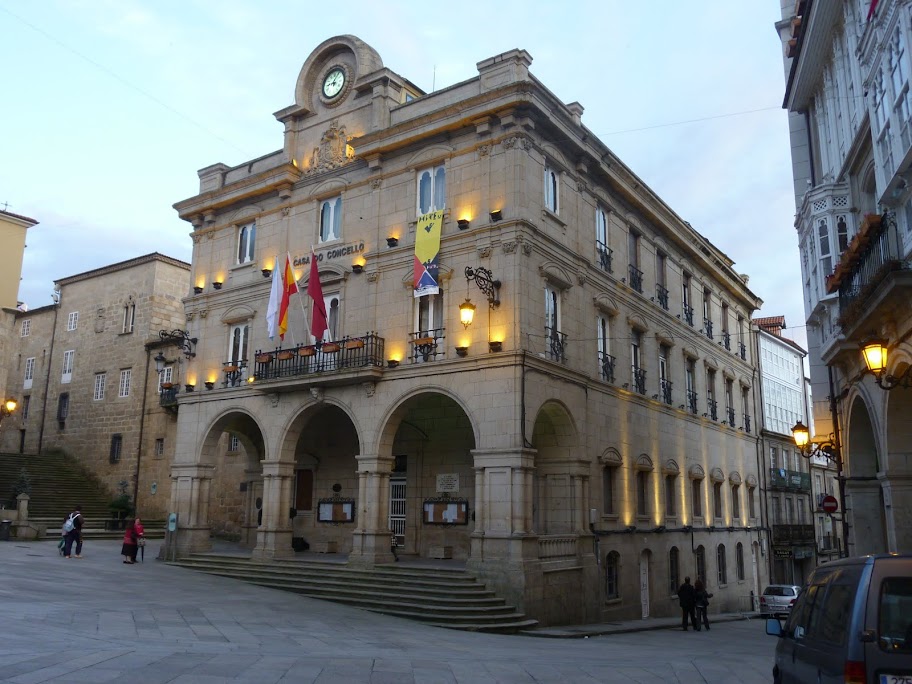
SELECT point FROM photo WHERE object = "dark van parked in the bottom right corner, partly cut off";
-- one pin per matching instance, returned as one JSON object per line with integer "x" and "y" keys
{"x": 852, "y": 623}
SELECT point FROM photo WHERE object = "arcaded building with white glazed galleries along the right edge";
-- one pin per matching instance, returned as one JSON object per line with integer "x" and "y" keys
{"x": 848, "y": 75}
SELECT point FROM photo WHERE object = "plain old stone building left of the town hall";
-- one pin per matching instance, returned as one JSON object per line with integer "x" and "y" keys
{"x": 83, "y": 371}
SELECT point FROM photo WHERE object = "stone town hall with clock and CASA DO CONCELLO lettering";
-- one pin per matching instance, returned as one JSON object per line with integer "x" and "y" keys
{"x": 582, "y": 445}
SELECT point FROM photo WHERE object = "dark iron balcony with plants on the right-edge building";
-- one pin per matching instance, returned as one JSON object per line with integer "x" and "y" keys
{"x": 872, "y": 275}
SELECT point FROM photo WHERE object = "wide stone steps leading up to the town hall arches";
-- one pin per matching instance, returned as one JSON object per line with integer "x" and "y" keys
{"x": 442, "y": 597}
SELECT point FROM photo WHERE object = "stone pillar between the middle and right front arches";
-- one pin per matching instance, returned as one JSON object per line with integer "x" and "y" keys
{"x": 372, "y": 537}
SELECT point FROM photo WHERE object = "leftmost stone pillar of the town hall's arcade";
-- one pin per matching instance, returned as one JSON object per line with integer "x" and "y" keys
{"x": 190, "y": 485}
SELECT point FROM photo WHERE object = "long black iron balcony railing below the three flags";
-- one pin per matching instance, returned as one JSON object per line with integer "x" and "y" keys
{"x": 307, "y": 359}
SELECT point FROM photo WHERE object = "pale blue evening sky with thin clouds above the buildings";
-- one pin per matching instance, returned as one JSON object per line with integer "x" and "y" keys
{"x": 109, "y": 108}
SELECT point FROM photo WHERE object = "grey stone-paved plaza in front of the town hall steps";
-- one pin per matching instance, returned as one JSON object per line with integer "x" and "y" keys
{"x": 97, "y": 620}
